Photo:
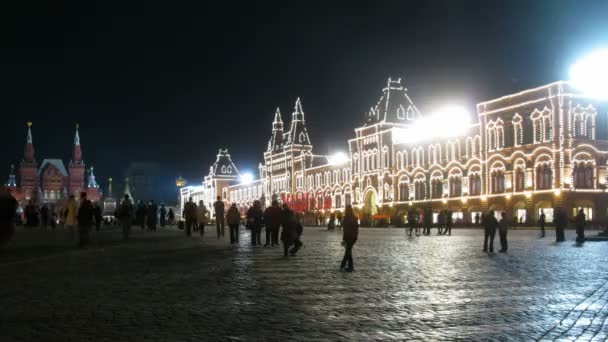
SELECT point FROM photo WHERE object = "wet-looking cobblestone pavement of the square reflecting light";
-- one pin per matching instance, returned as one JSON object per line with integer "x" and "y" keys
{"x": 166, "y": 287}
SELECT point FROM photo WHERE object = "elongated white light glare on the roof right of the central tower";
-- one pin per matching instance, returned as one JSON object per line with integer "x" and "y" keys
{"x": 448, "y": 121}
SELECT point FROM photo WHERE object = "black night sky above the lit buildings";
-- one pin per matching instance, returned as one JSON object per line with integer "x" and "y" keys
{"x": 171, "y": 82}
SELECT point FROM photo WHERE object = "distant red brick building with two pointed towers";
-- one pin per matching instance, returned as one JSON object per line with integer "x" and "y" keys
{"x": 51, "y": 182}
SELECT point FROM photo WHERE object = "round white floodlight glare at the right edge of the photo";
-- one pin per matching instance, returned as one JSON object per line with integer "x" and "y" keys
{"x": 590, "y": 74}
